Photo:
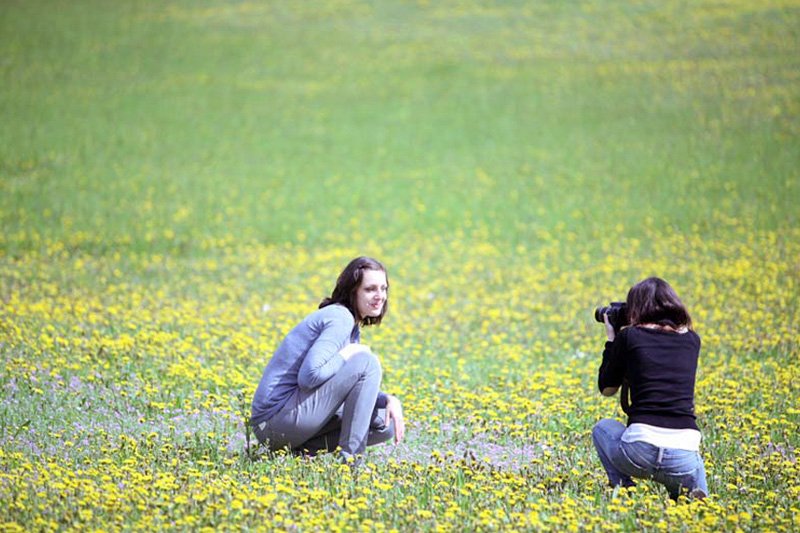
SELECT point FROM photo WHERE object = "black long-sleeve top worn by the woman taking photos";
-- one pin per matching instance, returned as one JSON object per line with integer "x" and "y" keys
{"x": 660, "y": 367}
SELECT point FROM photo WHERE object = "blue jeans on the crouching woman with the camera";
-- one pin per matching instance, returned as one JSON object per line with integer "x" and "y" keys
{"x": 675, "y": 469}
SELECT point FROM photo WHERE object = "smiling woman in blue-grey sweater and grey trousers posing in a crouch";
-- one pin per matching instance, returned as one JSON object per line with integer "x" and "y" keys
{"x": 320, "y": 390}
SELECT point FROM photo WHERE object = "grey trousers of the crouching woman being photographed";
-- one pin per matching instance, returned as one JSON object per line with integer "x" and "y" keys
{"x": 340, "y": 411}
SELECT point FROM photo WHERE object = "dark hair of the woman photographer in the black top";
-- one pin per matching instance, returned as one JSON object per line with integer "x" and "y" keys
{"x": 653, "y": 301}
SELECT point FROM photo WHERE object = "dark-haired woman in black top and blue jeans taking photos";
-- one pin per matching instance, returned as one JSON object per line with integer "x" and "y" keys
{"x": 655, "y": 356}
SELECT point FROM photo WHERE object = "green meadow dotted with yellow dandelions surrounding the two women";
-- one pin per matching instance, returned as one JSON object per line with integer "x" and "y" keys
{"x": 182, "y": 181}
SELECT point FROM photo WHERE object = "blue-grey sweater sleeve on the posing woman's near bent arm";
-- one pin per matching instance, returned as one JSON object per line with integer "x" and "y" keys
{"x": 323, "y": 359}
